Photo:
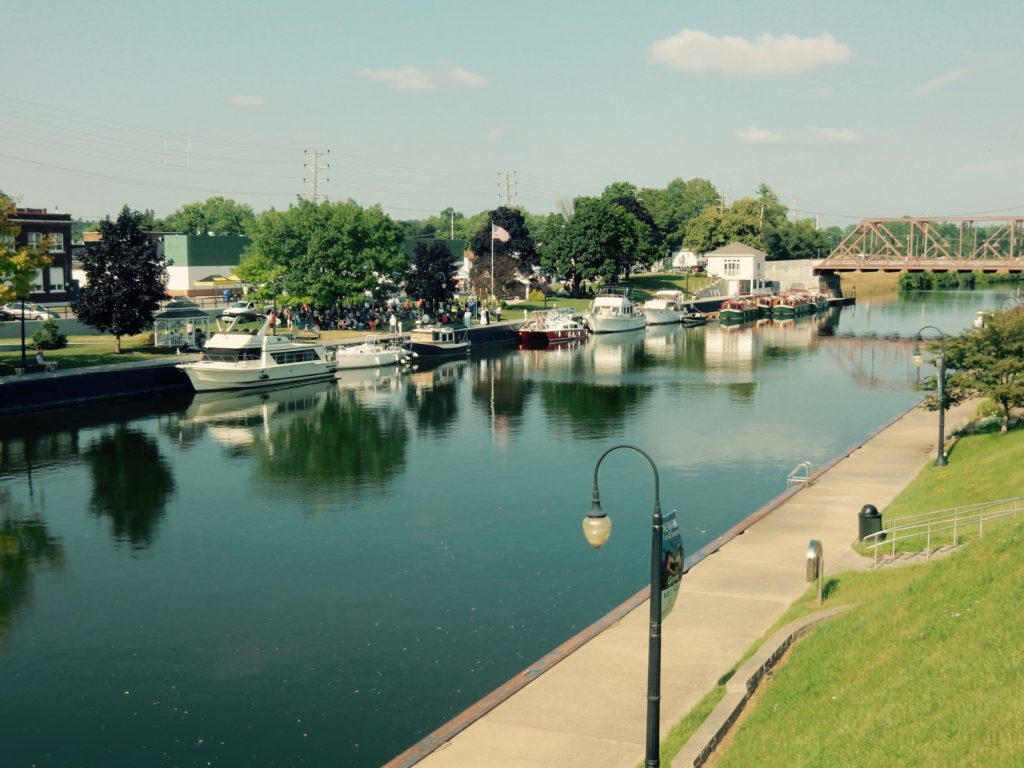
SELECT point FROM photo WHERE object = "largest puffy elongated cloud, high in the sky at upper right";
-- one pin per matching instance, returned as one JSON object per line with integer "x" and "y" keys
{"x": 693, "y": 51}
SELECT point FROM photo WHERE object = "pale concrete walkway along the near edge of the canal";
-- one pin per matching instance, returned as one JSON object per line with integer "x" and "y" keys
{"x": 589, "y": 710}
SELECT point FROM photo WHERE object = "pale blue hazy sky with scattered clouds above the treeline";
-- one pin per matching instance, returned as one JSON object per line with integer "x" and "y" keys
{"x": 847, "y": 111}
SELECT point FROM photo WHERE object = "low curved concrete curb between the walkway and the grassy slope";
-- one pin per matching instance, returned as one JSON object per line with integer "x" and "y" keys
{"x": 742, "y": 687}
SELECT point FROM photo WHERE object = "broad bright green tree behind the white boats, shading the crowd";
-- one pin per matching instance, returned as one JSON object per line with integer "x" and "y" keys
{"x": 326, "y": 253}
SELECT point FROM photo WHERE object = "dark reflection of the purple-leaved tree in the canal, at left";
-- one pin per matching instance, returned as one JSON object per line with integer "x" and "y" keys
{"x": 132, "y": 483}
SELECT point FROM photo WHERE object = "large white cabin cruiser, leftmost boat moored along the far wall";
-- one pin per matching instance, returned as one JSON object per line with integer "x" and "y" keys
{"x": 235, "y": 359}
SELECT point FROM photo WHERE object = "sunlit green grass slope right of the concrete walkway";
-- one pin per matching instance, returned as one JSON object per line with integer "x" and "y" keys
{"x": 927, "y": 671}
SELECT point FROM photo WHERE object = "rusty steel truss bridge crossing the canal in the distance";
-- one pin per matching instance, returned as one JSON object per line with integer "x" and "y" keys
{"x": 987, "y": 244}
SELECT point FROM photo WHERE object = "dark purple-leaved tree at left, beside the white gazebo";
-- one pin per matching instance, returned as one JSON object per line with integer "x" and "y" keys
{"x": 125, "y": 279}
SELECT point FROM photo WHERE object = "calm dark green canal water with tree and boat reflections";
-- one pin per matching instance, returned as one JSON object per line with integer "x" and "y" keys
{"x": 321, "y": 576}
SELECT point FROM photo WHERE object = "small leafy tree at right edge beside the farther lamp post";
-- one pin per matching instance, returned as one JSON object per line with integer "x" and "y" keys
{"x": 989, "y": 362}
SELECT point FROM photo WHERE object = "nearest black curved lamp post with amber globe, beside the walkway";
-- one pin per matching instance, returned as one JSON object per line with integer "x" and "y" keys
{"x": 598, "y": 529}
